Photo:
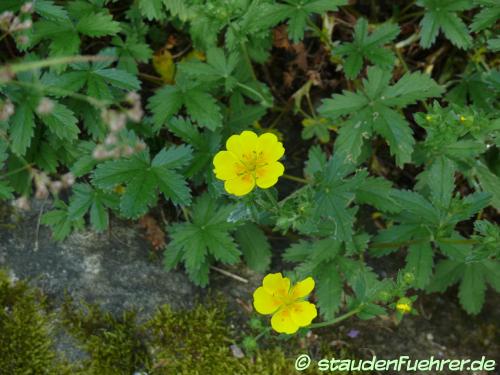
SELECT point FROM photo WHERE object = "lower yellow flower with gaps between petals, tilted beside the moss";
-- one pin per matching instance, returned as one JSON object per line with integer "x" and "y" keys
{"x": 287, "y": 303}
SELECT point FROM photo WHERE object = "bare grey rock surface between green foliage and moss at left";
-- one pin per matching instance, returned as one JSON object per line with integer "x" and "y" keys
{"x": 114, "y": 269}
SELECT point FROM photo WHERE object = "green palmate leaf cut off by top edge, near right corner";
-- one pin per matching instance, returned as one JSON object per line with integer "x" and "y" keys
{"x": 441, "y": 14}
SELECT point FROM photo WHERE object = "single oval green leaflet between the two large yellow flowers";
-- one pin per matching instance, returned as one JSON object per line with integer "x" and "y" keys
{"x": 254, "y": 246}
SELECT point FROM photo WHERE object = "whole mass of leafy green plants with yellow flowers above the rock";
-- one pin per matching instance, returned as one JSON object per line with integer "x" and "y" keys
{"x": 353, "y": 132}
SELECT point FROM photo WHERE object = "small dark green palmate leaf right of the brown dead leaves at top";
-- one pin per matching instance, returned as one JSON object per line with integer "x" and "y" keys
{"x": 367, "y": 46}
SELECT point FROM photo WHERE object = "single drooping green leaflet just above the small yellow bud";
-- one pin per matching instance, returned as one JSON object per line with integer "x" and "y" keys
{"x": 419, "y": 262}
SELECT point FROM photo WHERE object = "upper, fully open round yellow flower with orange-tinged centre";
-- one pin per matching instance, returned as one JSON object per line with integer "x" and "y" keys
{"x": 249, "y": 160}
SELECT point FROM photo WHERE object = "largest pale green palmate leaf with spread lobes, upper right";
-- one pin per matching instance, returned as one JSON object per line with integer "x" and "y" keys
{"x": 373, "y": 108}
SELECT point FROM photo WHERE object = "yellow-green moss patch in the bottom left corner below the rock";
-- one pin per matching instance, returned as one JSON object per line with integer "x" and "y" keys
{"x": 26, "y": 344}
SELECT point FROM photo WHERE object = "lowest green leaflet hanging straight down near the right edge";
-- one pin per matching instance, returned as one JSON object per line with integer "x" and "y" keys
{"x": 472, "y": 288}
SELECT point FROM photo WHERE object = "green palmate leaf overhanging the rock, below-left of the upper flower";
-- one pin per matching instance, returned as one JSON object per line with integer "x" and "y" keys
{"x": 207, "y": 236}
